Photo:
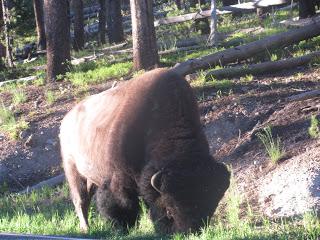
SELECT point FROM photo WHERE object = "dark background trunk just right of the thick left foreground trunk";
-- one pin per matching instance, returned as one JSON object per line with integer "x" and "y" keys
{"x": 78, "y": 41}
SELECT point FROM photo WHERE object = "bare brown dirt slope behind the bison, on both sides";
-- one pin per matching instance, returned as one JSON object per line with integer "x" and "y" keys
{"x": 230, "y": 121}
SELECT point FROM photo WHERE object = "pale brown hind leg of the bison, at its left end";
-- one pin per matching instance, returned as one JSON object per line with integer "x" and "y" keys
{"x": 81, "y": 191}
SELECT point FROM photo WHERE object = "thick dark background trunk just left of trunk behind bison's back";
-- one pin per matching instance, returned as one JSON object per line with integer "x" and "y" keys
{"x": 114, "y": 22}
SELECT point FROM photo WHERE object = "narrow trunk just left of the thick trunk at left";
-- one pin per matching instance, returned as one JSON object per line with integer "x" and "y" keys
{"x": 39, "y": 16}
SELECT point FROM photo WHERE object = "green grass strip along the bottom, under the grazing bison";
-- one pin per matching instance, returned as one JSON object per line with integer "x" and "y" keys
{"x": 50, "y": 212}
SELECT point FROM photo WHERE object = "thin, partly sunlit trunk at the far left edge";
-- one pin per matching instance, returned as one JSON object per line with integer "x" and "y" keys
{"x": 6, "y": 26}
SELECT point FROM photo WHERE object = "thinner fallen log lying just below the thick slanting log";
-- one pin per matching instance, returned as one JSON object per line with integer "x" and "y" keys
{"x": 262, "y": 68}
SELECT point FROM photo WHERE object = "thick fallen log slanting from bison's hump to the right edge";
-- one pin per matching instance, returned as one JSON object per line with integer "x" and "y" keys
{"x": 248, "y": 50}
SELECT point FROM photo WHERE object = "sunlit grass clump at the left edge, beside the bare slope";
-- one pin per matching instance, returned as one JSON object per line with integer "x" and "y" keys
{"x": 9, "y": 124}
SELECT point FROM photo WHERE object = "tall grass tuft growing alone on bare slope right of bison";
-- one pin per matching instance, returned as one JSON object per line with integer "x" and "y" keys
{"x": 273, "y": 146}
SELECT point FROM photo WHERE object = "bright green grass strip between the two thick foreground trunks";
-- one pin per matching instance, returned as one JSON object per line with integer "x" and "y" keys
{"x": 99, "y": 74}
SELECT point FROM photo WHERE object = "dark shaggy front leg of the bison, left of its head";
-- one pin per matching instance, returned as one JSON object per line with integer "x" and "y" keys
{"x": 121, "y": 207}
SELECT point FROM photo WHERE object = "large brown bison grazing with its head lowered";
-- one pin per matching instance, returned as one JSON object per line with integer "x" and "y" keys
{"x": 142, "y": 139}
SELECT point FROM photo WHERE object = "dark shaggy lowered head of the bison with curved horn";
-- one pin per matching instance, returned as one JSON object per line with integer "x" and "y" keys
{"x": 188, "y": 194}
